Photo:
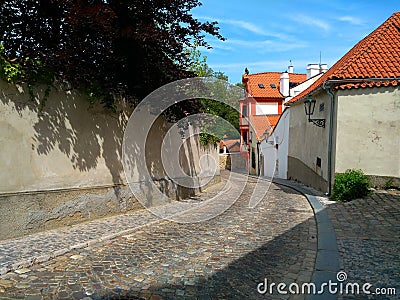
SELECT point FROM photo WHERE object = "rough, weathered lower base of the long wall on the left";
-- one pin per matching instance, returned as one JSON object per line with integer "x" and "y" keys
{"x": 26, "y": 213}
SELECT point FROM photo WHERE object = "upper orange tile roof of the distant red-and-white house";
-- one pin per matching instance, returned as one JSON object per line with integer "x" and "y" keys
{"x": 267, "y": 78}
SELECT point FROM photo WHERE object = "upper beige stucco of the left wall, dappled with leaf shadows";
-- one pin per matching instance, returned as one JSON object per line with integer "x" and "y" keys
{"x": 68, "y": 145}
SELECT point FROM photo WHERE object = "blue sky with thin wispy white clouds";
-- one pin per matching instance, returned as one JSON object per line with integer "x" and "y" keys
{"x": 263, "y": 35}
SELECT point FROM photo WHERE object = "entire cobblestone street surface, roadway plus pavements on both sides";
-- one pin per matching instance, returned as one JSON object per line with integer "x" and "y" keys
{"x": 138, "y": 256}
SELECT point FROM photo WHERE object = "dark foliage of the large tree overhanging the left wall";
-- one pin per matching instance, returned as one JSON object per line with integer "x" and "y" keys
{"x": 128, "y": 47}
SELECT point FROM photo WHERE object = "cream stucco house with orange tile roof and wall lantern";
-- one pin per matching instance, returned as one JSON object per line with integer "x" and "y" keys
{"x": 354, "y": 122}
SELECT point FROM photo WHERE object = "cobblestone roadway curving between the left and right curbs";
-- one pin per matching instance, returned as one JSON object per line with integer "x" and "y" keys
{"x": 223, "y": 258}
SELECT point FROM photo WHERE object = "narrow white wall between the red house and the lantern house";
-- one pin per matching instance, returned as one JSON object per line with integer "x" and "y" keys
{"x": 275, "y": 160}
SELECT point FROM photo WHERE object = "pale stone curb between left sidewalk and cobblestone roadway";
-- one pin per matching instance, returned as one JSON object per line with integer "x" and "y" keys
{"x": 44, "y": 257}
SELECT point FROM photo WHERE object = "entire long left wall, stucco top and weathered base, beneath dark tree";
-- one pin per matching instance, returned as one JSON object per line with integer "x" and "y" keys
{"x": 61, "y": 165}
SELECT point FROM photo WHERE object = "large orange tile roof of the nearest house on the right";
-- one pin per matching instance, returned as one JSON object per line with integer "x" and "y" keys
{"x": 375, "y": 56}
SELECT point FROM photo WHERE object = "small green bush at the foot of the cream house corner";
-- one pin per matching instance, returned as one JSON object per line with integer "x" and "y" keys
{"x": 350, "y": 185}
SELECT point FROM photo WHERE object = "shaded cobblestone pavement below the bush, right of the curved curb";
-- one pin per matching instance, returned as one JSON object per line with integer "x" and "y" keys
{"x": 368, "y": 236}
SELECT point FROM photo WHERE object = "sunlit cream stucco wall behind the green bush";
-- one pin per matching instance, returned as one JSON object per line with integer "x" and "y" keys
{"x": 368, "y": 131}
